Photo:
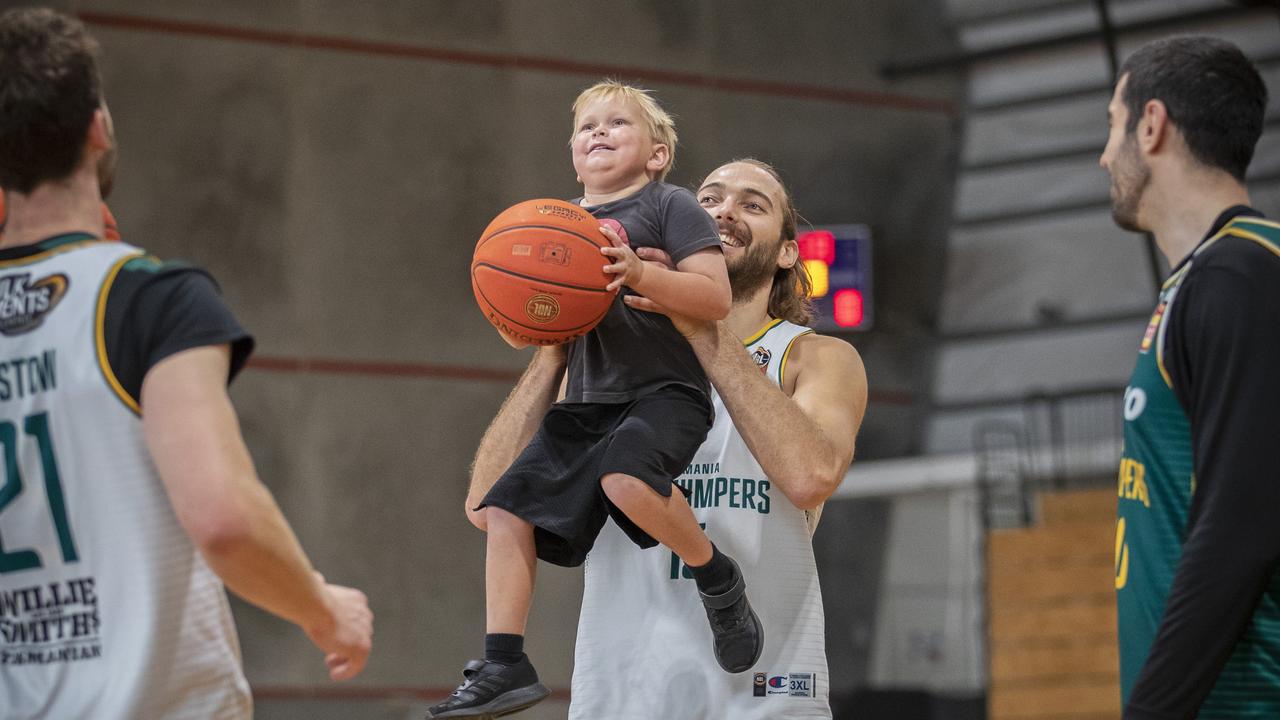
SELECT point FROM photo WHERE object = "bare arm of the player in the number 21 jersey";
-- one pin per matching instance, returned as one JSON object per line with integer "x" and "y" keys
{"x": 195, "y": 440}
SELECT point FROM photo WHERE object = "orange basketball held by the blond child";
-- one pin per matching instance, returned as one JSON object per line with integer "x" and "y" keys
{"x": 537, "y": 272}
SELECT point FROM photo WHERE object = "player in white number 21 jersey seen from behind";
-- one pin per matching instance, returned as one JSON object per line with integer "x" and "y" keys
{"x": 127, "y": 487}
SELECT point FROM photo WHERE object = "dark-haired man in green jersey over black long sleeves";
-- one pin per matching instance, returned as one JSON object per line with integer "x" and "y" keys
{"x": 1199, "y": 539}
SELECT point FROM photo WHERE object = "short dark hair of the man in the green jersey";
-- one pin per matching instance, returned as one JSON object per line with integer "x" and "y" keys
{"x": 1213, "y": 93}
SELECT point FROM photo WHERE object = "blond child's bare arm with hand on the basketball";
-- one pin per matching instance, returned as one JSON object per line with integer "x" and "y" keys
{"x": 698, "y": 288}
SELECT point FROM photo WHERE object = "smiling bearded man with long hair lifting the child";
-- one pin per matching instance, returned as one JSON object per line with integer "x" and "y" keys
{"x": 789, "y": 404}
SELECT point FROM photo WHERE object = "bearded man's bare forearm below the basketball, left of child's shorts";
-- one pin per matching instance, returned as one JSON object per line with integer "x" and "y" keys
{"x": 515, "y": 425}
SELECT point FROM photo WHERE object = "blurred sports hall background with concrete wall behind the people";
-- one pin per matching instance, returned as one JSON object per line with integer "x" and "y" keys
{"x": 333, "y": 163}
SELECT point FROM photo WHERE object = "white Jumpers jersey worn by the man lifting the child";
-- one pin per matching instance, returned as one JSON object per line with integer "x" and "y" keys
{"x": 644, "y": 646}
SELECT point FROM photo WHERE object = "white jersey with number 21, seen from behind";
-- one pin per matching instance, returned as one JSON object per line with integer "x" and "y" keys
{"x": 107, "y": 609}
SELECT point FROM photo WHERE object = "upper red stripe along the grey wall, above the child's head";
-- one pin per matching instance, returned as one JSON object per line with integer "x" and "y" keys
{"x": 749, "y": 86}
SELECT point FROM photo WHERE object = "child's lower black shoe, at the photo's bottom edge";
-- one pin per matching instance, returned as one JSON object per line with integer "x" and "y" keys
{"x": 492, "y": 690}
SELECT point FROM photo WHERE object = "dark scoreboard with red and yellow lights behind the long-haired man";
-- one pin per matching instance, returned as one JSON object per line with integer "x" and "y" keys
{"x": 839, "y": 261}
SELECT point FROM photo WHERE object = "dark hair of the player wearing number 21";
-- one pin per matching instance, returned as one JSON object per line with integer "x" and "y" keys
{"x": 49, "y": 90}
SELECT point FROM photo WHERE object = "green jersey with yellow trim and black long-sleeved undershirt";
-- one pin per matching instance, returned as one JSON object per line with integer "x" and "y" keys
{"x": 1199, "y": 528}
